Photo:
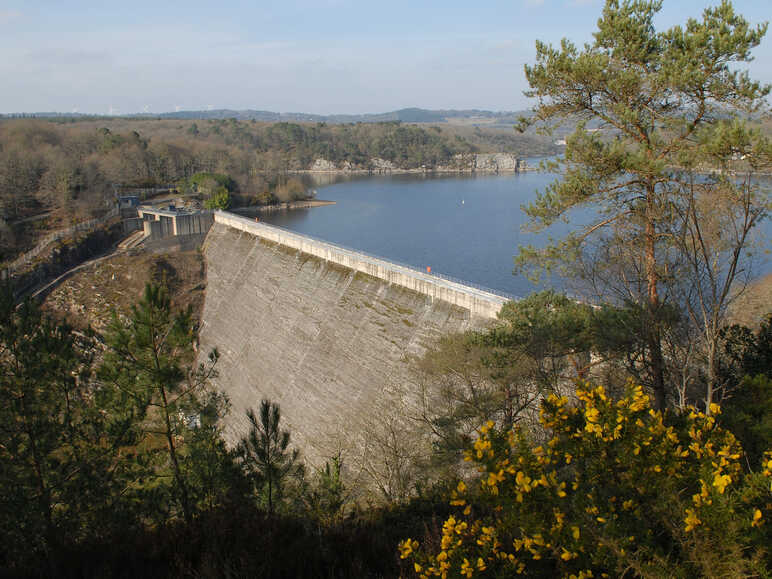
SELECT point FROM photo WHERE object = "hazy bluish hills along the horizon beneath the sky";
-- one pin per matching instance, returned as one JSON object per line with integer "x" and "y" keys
{"x": 409, "y": 115}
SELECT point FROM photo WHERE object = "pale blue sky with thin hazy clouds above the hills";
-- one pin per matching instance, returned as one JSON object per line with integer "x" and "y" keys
{"x": 320, "y": 56}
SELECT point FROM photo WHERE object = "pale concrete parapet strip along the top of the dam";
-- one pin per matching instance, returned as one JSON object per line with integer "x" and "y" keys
{"x": 479, "y": 301}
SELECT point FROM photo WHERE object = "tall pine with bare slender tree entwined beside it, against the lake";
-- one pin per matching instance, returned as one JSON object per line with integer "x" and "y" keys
{"x": 663, "y": 106}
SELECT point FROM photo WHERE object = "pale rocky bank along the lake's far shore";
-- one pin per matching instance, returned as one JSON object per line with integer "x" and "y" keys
{"x": 460, "y": 163}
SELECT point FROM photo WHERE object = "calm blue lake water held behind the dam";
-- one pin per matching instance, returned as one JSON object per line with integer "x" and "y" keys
{"x": 465, "y": 227}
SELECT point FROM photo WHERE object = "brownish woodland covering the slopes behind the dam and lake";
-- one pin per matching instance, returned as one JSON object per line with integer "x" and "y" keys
{"x": 59, "y": 171}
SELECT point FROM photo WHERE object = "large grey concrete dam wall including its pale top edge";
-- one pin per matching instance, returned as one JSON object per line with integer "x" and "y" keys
{"x": 322, "y": 330}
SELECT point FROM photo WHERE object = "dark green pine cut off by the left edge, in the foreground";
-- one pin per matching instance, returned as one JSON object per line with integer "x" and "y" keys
{"x": 60, "y": 437}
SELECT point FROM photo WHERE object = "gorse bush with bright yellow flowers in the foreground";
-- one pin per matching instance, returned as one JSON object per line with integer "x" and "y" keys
{"x": 617, "y": 487}
